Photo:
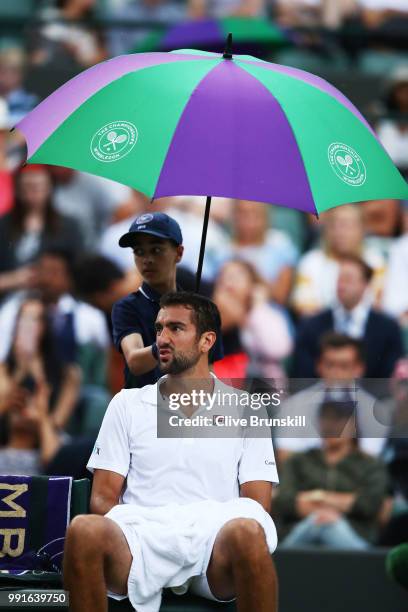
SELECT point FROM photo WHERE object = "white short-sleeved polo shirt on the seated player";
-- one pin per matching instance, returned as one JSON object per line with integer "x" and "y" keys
{"x": 161, "y": 471}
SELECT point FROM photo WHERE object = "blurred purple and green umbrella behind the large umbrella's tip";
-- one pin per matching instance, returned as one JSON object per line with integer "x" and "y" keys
{"x": 209, "y": 34}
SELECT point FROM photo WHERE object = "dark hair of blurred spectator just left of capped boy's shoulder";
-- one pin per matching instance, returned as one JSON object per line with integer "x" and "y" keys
{"x": 95, "y": 273}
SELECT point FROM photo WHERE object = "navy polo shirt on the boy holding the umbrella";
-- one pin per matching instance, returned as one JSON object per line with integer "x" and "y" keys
{"x": 136, "y": 314}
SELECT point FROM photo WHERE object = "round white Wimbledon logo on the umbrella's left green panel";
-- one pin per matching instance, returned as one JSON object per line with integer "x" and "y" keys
{"x": 113, "y": 141}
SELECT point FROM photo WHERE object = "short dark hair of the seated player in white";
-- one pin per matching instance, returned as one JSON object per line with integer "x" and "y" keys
{"x": 206, "y": 316}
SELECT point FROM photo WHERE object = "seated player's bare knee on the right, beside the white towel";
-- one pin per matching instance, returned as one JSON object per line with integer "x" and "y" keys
{"x": 246, "y": 539}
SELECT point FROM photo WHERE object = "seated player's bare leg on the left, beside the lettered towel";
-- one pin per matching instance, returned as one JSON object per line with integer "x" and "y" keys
{"x": 96, "y": 558}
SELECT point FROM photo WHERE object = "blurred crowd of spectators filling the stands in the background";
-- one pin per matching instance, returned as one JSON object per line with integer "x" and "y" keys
{"x": 300, "y": 298}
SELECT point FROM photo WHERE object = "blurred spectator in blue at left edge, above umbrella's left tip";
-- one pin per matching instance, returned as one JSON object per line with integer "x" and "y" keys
{"x": 19, "y": 101}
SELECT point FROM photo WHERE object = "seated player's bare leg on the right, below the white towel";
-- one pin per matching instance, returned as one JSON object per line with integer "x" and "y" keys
{"x": 241, "y": 566}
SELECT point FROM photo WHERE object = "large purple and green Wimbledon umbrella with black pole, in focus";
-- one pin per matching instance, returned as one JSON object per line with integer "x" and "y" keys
{"x": 196, "y": 123}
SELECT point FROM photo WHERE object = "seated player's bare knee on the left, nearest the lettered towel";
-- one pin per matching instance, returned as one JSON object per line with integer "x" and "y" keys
{"x": 86, "y": 535}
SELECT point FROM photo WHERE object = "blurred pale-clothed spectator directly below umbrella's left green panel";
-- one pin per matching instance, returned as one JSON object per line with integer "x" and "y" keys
{"x": 92, "y": 200}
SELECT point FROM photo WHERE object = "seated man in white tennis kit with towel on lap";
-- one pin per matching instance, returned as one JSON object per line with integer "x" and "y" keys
{"x": 180, "y": 512}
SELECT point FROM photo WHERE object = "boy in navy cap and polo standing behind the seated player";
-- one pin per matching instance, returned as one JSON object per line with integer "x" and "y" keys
{"x": 156, "y": 241}
